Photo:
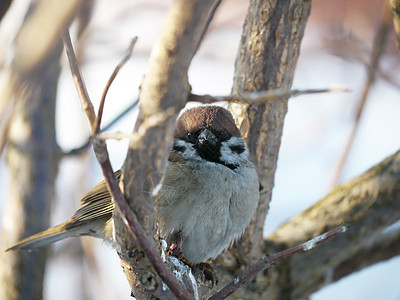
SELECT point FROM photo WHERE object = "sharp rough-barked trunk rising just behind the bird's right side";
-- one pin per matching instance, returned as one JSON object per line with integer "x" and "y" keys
{"x": 269, "y": 49}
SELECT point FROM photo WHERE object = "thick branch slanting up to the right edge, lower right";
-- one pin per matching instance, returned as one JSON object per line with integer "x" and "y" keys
{"x": 368, "y": 203}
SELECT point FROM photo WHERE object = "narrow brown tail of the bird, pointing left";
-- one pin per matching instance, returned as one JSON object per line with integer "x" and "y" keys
{"x": 42, "y": 238}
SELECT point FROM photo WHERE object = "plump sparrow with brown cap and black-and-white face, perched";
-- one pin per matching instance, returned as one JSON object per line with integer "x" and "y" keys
{"x": 208, "y": 195}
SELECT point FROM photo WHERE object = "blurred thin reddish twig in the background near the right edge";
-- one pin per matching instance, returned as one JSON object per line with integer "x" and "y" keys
{"x": 380, "y": 41}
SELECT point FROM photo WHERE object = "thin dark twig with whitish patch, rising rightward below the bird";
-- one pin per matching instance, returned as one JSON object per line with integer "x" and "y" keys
{"x": 266, "y": 261}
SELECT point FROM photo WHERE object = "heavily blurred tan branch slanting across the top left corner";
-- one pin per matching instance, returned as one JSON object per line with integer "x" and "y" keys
{"x": 37, "y": 37}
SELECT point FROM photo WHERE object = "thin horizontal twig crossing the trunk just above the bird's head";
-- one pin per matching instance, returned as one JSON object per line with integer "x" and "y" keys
{"x": 262, "y": 97}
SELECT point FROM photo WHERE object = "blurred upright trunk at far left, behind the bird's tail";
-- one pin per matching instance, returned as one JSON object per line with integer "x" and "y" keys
{"x": 32, "y": 157}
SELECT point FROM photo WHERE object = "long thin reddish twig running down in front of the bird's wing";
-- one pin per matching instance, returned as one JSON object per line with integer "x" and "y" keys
{"x": 126, "y": 213}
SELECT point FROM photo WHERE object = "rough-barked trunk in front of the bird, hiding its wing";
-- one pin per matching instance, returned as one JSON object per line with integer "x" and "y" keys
{"x": 163, "y": 93}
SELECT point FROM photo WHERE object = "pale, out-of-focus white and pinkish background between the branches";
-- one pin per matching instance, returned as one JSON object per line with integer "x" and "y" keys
{"x": 336, "y": 50}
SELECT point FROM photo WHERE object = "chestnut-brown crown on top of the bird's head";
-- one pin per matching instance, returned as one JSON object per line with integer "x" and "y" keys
{"x": 212, "y": 117}
